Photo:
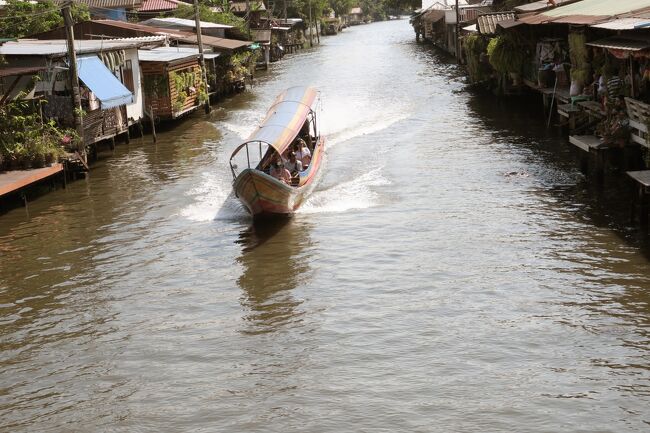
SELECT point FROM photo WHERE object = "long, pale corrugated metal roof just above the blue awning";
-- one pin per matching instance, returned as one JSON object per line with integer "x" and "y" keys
{"x": 58, "y": 47}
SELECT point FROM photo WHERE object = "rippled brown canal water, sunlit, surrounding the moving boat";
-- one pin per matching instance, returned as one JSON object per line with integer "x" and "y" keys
{"x": 452, "y": 272}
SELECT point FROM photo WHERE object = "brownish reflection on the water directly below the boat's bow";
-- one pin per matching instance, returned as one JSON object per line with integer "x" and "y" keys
{"x": 273, "y": 261}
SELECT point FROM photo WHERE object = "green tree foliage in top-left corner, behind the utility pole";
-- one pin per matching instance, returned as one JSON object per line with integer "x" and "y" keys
{"x": 36, "y": 17}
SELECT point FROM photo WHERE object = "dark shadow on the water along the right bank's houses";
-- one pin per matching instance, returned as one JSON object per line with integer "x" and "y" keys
{"x": 520, "y": 122}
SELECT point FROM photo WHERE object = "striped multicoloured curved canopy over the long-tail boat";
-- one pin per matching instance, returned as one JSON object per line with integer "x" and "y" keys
{"x": 284, "y": 119}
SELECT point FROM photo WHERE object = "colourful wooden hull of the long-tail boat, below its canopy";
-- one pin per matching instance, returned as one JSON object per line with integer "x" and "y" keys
{"x": 266, "y": 196}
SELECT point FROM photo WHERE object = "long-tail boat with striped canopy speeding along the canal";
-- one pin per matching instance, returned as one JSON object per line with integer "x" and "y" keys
{"x": 291, "y": 117}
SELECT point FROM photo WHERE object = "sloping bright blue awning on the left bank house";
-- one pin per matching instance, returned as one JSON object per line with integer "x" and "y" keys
{"x": 101, "y": 81}
